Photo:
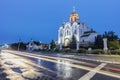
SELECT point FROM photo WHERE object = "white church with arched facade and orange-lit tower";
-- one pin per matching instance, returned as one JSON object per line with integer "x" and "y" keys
{"x": 84, "y": 35}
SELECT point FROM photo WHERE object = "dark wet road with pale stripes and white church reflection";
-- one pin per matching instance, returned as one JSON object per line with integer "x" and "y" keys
{"x": 60, "y": 68}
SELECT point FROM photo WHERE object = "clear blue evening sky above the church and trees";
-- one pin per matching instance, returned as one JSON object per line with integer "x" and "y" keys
{"x": 41, "y": 19}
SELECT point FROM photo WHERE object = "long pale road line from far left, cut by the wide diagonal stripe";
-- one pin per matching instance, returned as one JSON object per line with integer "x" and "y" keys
{"x": 71, "y": 65}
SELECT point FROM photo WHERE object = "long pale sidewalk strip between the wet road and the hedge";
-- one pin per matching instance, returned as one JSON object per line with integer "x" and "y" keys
{"x": 112, "y": 59}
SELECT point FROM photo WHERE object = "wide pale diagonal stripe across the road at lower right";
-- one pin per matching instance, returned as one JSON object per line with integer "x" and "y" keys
{"x": 90, "y": 74}
